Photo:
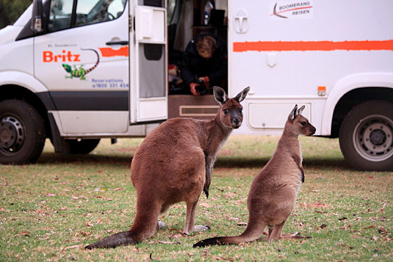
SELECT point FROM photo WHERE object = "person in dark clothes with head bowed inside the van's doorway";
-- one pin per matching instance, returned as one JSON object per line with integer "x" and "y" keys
{"x": 204, "y": 64}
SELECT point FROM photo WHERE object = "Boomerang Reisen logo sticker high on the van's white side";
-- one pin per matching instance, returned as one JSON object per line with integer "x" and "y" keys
{"x": 291, "y": 9}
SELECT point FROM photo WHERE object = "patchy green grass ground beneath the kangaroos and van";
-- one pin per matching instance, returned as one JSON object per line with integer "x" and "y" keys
{"x": 50, "y": 210}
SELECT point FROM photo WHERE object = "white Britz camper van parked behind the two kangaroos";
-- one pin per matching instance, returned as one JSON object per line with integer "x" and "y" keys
{"x": 78, "y": 71}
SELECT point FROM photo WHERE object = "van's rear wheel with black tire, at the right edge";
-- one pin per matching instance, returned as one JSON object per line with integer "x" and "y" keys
{"x": 366, "y": 136}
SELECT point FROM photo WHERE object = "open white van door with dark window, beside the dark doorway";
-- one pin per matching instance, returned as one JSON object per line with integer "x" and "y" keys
{"x": 148, "y": 61}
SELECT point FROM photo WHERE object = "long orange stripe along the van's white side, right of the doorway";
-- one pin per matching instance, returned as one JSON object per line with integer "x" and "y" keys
{"x": 281, "y": 46}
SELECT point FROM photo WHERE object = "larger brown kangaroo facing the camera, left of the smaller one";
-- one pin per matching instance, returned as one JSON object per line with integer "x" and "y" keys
{"x": 174, "y": 164}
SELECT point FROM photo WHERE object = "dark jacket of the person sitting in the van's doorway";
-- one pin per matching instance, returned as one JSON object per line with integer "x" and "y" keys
{"x": 194, "y": 66}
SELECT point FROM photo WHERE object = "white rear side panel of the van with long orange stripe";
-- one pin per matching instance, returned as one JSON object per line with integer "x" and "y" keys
{"x": 287, "y": 51}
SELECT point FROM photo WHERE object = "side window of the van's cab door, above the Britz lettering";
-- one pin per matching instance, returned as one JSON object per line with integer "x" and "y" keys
{"x": 87, "y": 12}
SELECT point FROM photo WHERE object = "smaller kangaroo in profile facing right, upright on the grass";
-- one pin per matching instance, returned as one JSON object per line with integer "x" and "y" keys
{"x": 273, "y": 191}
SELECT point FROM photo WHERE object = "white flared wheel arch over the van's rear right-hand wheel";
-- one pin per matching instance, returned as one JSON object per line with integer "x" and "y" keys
{"x": 351, "y": 91}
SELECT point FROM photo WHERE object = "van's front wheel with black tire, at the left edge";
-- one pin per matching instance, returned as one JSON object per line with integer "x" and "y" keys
{"x": 22, "y": 133}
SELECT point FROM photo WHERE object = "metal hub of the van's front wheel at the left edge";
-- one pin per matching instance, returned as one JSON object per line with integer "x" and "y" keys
{"x": 11, "y": 134}
